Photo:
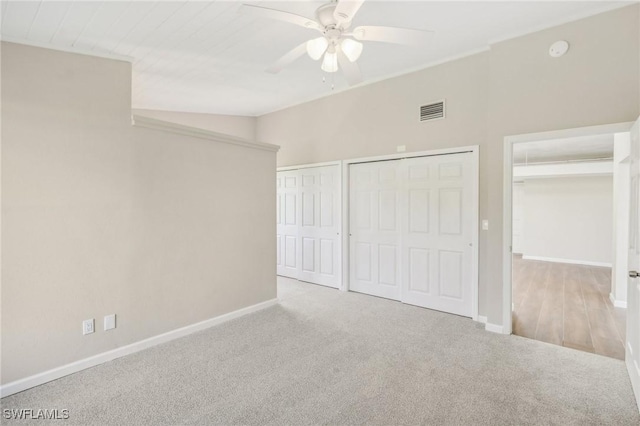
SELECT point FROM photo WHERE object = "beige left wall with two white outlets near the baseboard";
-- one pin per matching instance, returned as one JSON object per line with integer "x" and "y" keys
{"x": 99, "y": 217}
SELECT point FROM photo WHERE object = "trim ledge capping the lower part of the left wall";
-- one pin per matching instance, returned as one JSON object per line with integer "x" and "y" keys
{"x": 179, "y": 129}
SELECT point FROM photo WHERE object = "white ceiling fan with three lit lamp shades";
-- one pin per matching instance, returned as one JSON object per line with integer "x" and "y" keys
{"x": 339, "y": 46}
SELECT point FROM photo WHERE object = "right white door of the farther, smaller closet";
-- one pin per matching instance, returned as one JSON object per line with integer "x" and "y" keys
{"x": 319, "y": 255}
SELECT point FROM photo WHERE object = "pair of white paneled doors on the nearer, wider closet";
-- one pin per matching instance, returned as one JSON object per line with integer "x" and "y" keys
{"x": 411, "y": 231}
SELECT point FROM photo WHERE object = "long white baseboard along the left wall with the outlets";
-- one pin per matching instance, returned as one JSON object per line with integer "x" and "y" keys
{"x": 74, "y": 367}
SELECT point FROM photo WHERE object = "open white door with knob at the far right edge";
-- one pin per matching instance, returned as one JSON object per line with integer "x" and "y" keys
{"x": 632, "y": 357}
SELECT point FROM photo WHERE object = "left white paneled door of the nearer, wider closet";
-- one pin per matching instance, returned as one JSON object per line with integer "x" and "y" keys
{"x": 375, "y": 229}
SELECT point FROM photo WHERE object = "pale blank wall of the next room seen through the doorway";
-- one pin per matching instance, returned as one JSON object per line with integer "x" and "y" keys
{"x": 569, "y": 218}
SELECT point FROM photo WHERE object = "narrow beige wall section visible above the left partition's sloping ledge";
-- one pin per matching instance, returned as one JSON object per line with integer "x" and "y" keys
{"x": 234, "y": 125}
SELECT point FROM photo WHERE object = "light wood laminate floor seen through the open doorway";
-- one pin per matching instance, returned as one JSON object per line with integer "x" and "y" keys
{"x": 567, "y": 305}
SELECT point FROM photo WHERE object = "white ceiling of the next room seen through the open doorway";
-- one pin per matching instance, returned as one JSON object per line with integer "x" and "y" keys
{"x": 568, "y": 149}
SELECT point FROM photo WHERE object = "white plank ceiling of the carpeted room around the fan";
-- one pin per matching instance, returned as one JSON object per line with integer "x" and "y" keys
{"x": 203, "y": 56}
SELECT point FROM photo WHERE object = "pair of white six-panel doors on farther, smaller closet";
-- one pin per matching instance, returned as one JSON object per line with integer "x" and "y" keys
{"x": 309, "y": 226}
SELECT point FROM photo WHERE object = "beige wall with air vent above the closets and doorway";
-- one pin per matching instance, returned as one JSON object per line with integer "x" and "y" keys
{"x": 513, "y": 88}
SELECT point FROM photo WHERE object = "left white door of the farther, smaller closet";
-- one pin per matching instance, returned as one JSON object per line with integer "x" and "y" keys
{"x": 287, "y": 223}
